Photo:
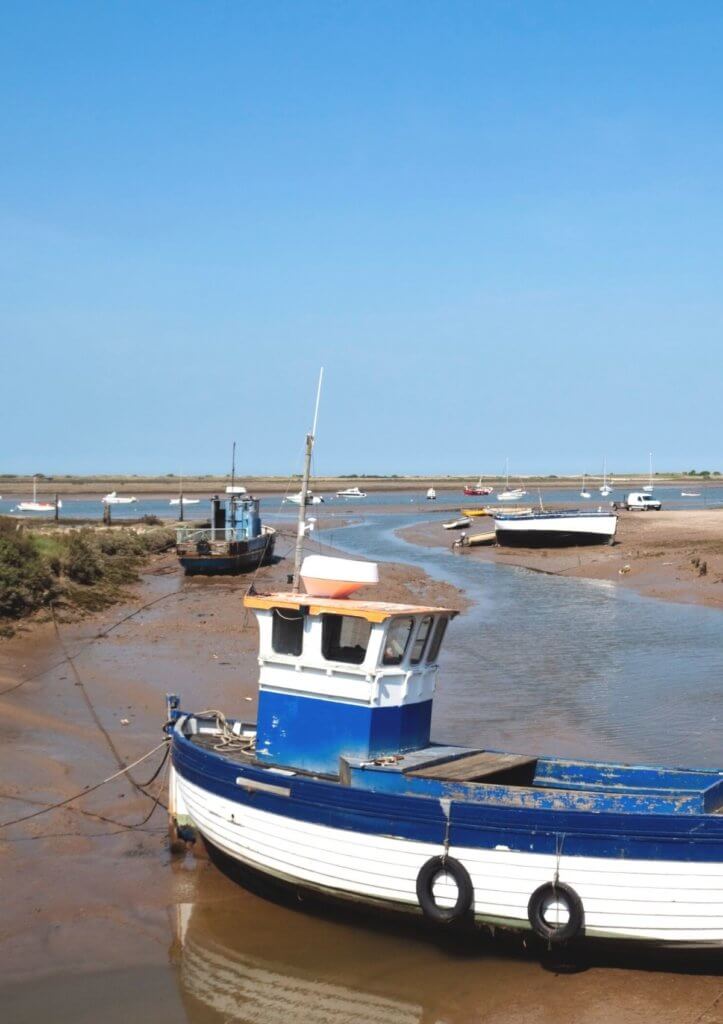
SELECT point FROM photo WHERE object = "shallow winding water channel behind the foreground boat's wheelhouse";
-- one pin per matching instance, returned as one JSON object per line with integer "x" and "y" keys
{"x": 548, "y": 665}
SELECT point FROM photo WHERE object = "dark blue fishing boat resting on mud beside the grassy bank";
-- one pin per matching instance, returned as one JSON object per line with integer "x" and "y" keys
{"x": 235, "y": 542}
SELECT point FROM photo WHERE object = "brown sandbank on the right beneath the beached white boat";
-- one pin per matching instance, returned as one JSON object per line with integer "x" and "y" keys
{"x": 676, "y": 557}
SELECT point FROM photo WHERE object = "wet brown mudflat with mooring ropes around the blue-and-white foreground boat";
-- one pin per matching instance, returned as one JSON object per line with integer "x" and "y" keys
{"x": 100, "y": 922}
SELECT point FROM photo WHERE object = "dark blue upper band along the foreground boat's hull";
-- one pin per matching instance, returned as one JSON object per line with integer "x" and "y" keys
{"x": 479, "y": 825}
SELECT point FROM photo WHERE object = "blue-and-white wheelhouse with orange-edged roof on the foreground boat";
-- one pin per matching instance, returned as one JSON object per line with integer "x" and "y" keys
{"x": 344, "y": 678}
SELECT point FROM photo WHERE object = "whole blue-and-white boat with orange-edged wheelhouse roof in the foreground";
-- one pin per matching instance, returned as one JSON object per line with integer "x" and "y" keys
{"x": 339, "y": 790}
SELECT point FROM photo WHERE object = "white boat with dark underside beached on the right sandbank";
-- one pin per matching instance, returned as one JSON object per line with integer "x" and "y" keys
{"x": 550, "y": 530}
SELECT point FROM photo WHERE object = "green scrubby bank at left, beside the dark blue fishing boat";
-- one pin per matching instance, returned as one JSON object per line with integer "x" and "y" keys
{"x": 76, "y": 572}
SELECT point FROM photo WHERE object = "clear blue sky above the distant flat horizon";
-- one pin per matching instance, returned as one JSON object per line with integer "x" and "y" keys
{"x": 499, "y": 227}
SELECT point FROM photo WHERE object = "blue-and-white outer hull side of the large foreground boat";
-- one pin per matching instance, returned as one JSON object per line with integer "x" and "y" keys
{"x": 640, "y": 878}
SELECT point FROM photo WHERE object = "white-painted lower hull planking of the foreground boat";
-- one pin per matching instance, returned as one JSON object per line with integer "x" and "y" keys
{"x": 657, "y": 902}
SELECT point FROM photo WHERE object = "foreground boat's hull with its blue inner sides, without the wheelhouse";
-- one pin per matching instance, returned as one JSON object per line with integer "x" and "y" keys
{"x": 642, "y": 849}
